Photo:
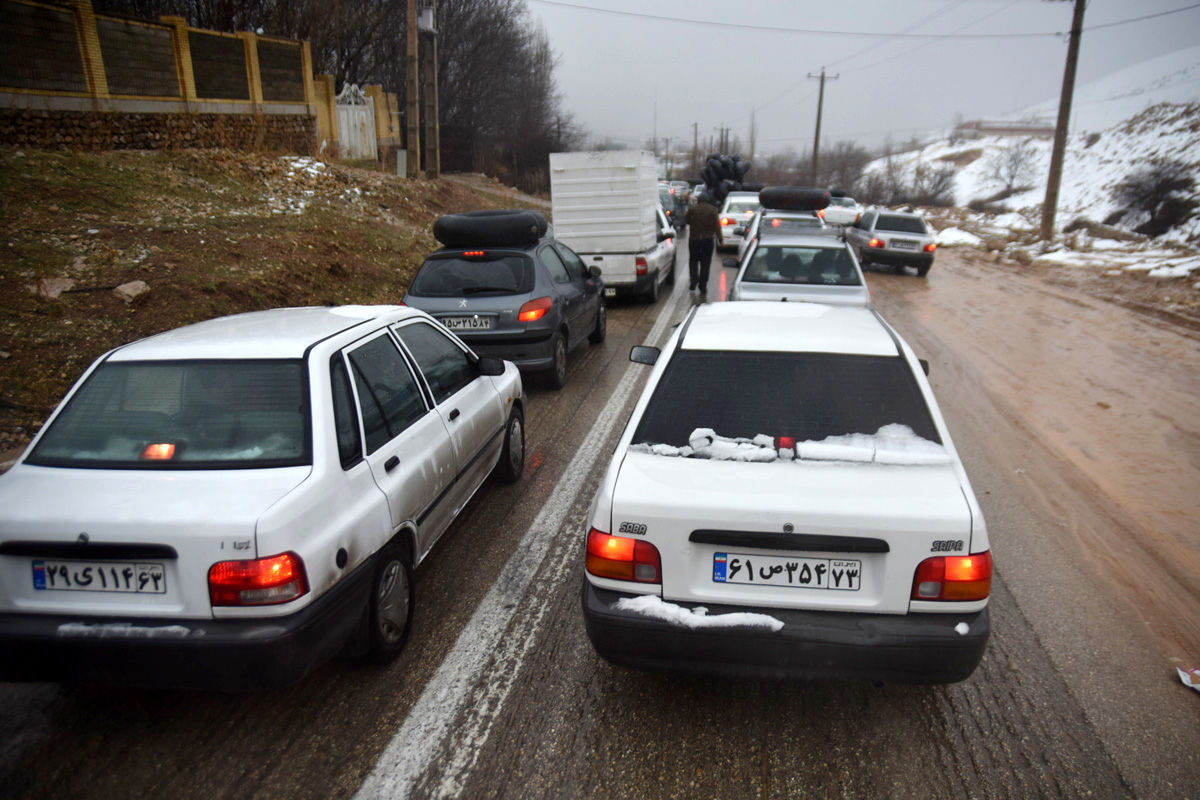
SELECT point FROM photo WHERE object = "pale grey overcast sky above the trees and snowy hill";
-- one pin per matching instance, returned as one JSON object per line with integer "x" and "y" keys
{"x": 626, "y": 76}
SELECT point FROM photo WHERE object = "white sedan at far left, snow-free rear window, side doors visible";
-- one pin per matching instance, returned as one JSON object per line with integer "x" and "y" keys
{"x": 230, "y": 504}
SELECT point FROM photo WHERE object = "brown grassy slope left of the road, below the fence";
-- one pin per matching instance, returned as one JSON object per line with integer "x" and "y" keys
{"x": 212, "y": 233}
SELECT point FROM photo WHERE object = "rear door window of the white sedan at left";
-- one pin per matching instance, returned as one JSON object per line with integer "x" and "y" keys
{"x": 389, "y": 396}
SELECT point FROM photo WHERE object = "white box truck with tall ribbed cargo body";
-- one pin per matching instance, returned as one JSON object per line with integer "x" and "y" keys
{"x": 607, "y": 209}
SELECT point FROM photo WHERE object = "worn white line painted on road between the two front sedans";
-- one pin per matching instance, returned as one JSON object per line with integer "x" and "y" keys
{"x": 428, "y": 725}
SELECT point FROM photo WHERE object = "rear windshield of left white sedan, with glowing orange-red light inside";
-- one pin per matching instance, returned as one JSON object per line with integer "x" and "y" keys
{"x": 183, "y": 416}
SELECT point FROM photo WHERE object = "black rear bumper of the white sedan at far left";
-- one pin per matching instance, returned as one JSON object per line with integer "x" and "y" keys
{"x": 232, "y": 655}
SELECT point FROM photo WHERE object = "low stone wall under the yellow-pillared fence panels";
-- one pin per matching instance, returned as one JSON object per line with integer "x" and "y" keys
{"x": 118, "y": 131}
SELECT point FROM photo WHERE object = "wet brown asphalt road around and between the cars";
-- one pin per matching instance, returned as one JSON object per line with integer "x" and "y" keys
{"x": 501, "y": 696}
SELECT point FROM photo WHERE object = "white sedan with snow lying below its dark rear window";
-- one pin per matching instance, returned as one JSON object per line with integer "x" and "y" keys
{"x": 787, "y": 503}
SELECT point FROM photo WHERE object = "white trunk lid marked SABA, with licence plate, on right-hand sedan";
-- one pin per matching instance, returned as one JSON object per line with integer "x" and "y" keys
{"x": 835, "y": 536}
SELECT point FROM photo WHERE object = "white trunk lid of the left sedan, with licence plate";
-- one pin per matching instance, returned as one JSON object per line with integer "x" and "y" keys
{"x": 62, "y": 520}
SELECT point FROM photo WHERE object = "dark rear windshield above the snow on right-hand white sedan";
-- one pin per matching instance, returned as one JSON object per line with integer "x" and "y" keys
{"x": 808, "y": 396}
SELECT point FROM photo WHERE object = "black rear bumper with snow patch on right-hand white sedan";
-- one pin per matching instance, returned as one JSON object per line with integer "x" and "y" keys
{"x": 911, "y": 649}
